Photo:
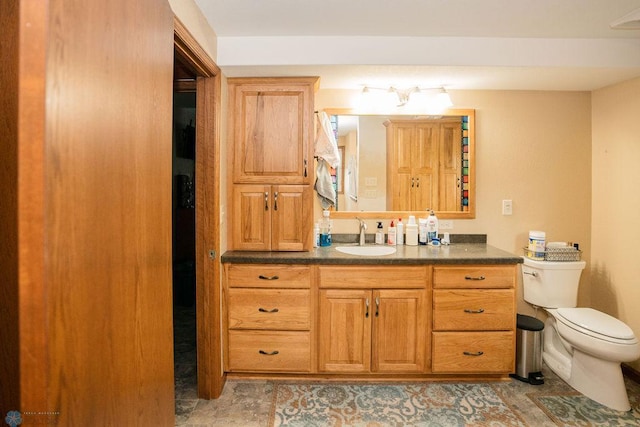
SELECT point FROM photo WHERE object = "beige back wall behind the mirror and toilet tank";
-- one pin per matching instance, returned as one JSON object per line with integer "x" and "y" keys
{"x": 533, "y": 148}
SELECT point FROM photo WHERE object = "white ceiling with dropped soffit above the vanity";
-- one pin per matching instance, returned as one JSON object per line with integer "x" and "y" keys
{"x": 461, "y": 44}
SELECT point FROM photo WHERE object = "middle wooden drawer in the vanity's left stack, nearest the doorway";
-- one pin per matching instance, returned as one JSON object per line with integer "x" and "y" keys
{"x": 287, "y": 309}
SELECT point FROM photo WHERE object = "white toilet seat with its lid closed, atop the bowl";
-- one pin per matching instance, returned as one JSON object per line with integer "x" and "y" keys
{"x": 596, "y": 324}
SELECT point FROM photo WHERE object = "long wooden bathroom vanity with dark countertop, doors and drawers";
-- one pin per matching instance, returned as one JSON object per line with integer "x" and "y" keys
{"x": 423, "y": 312}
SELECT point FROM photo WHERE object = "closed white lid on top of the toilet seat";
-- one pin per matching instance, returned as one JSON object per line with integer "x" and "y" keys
{"x": 595, "y": 321}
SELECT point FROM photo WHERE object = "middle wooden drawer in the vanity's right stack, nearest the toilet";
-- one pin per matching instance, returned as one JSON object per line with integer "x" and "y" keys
{"x": 473, "y": 309}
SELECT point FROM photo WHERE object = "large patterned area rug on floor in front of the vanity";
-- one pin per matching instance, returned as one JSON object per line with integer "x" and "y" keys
{"x": 431, "y": 404}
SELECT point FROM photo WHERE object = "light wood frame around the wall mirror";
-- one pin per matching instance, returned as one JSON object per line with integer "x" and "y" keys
{"x": 468, "y": 214}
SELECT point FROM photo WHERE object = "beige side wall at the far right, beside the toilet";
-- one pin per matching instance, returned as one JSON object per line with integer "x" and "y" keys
{"x": 616, "y": 203}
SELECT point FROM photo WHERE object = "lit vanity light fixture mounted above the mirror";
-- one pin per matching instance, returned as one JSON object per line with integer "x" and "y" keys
{"x": 432, "y": 98}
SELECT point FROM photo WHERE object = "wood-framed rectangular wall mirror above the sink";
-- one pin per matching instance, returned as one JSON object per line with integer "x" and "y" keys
{"x": 399, "y": 165}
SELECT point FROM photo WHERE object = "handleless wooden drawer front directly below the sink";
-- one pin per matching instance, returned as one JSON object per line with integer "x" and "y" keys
{"x": 367, "y": 277}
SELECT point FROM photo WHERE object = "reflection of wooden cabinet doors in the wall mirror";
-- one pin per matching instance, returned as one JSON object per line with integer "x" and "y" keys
{"x": 424, "y": 164}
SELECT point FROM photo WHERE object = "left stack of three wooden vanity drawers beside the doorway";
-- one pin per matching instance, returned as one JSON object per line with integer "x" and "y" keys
{"x": 268, "y": 318}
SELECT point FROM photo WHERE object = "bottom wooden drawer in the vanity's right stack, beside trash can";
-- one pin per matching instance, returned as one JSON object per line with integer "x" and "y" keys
{"x": 473, "y": 352}
